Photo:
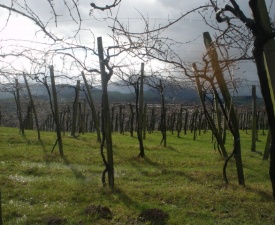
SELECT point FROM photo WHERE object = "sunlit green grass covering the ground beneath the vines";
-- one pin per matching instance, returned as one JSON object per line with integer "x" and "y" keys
{"x": 184, "y": 179}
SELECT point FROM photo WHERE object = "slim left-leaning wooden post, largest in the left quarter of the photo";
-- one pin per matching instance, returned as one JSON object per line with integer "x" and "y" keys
{"x": 56, "y": 113}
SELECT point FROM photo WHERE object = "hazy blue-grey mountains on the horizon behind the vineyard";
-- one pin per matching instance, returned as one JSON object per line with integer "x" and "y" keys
{"x": 123, "y": 94}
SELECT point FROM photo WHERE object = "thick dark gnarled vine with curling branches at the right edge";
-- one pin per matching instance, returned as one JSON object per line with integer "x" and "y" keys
{"x": 262, "y": 34}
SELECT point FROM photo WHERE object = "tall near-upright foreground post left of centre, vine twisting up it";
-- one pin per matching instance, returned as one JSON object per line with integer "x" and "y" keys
{"x": 107, "y": 132}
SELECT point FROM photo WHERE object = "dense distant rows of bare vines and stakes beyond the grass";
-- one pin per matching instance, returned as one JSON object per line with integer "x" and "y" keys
{"x": 180, "y": 117}
